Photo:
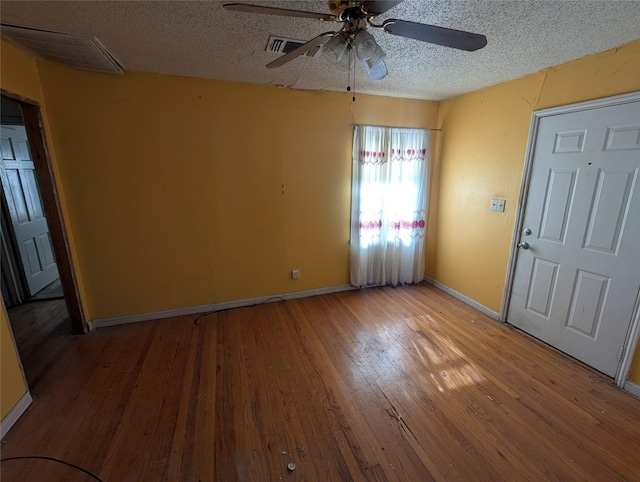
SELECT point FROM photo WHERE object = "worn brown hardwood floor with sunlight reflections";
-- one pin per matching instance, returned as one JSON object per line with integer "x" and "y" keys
{"x": 379, "y": 384}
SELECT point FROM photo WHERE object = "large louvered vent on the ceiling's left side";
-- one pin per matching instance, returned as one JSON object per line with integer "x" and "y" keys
{"x": 78, "y": 51}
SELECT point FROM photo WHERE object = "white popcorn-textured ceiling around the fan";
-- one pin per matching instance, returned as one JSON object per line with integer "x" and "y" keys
{"x": 201, "y": 39}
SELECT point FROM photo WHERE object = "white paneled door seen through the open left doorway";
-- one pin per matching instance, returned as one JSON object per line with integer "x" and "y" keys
{"x": 25, "y": 209}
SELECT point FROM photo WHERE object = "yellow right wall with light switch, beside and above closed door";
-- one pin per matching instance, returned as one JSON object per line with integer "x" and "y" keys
{"x": 481, "y": 155}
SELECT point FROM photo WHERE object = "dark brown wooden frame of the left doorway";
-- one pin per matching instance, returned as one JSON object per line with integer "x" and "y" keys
{"x": 32, "y": 116}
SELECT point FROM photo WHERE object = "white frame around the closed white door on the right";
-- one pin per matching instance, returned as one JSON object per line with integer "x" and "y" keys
{"x": 633, "y": 334}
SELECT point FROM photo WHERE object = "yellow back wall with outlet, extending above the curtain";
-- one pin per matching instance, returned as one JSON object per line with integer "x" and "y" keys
{"x": 175, "y": 185}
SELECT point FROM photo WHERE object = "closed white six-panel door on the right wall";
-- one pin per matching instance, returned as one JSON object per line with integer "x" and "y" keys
{"x": 577, "y": 272}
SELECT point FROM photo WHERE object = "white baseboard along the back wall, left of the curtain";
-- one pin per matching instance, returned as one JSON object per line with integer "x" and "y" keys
{"x": 194, "y": 310}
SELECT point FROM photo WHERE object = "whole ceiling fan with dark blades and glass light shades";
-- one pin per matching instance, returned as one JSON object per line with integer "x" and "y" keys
{"x": 340, "y": 46}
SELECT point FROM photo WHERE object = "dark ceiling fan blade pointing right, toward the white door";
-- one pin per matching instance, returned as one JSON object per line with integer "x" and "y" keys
{"x": 448, "y": 37}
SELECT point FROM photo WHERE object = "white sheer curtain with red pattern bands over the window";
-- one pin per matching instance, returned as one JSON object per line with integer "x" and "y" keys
{"x": 388, "y": 205}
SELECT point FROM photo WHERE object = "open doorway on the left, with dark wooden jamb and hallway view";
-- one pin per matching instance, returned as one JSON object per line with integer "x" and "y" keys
{"x": 36, "y": 261}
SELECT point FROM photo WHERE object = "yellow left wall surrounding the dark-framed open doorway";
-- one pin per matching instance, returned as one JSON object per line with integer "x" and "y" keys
{"x": 19, "y": 75}
